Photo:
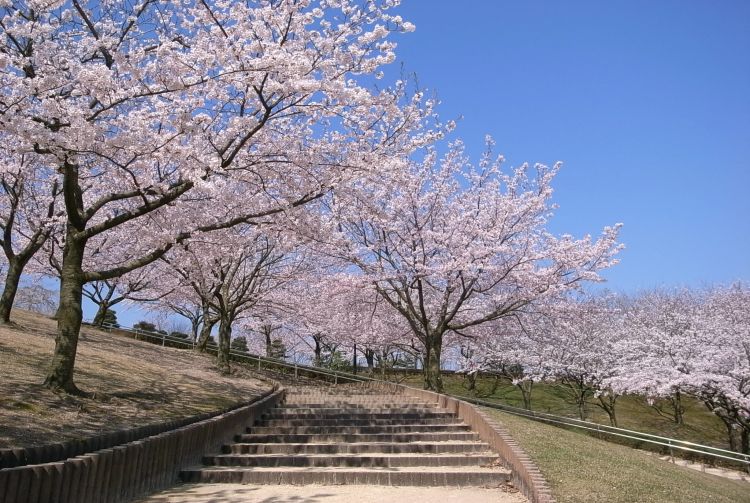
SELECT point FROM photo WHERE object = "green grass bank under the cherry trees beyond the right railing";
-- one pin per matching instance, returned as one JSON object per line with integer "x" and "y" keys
{"x": 633, "y": 413}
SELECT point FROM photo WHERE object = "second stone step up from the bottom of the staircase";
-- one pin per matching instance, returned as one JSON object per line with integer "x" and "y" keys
{"x": 358, "y": 460}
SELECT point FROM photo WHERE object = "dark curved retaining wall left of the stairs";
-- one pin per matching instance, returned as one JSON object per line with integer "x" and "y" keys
{"x": 127, "y": 471}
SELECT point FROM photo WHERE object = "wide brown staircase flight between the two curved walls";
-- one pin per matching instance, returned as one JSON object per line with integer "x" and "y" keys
{"x": 352, "y": 435}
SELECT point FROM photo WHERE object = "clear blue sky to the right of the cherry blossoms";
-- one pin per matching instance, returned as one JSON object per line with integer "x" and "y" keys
{"x": 647, "y": 103}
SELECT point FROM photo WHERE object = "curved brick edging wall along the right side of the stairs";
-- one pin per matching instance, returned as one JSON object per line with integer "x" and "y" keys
{"x": 526, "y": 475}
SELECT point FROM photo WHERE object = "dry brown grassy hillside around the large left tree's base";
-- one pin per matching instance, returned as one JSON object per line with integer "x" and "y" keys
{"x": 134, "y": 383}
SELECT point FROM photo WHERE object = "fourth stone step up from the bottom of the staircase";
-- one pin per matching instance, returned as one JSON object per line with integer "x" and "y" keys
{"x": 355, "y": 437}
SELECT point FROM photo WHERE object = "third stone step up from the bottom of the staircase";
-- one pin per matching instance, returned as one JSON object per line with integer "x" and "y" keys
{"x": 355, "y": 448}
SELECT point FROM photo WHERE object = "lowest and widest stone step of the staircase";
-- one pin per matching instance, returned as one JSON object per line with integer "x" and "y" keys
{"x": 414, "y": 476}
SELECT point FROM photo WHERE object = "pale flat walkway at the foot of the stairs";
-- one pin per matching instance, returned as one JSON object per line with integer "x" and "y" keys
{"x": 237, "y": 493}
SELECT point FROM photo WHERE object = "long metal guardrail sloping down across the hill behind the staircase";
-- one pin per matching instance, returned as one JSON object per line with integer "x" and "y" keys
{"x": 336, "y": 376}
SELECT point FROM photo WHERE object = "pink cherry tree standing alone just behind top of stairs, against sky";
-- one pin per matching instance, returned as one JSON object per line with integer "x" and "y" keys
{"x": 450, "y": 246}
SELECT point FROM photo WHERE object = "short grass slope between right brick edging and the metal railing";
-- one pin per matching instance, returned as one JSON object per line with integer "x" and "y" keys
{"x": 580, "y": 468}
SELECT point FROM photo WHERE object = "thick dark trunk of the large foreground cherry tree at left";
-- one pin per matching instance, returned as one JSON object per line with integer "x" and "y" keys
{"x": 70, "y": 314}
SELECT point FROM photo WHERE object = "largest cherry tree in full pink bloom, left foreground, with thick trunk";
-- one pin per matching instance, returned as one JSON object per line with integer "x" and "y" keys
{"x": 152, "y": 107}
